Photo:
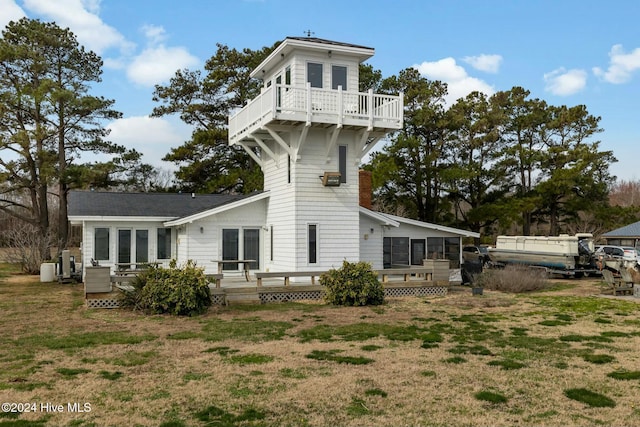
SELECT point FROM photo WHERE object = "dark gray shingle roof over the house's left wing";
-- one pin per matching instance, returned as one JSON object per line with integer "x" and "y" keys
{"x": 173, "y": 205}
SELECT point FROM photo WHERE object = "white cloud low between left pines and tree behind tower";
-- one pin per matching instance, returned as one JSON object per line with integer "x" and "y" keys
{"x": 153, "y": 137}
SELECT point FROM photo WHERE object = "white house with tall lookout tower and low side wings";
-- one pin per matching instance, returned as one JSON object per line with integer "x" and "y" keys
{"x": 309, "y": 130}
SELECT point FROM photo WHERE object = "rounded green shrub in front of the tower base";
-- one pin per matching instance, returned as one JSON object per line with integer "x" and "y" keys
{"x": 354, "y": 284}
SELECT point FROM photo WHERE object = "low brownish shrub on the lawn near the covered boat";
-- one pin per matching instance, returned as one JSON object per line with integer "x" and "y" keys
{"x": 513, "y": 278}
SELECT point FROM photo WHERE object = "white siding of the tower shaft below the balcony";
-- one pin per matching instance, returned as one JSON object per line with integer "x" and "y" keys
{"x": 293, "y": 206}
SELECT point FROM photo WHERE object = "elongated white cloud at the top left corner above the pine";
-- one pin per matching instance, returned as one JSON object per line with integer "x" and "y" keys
{"x": 81, "y": 17}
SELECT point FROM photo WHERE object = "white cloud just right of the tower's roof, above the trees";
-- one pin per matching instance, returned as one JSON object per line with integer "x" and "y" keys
{"x": 459, "y": 83}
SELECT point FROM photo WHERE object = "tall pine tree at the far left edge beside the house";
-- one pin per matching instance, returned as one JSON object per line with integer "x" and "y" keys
{"x": 47, "y": 119}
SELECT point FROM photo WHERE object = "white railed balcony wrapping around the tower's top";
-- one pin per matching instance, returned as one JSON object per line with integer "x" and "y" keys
{"x": 291, "y": 105}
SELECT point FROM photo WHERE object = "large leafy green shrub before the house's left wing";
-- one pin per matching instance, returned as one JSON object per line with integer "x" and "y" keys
{"x": 179, "y": 291}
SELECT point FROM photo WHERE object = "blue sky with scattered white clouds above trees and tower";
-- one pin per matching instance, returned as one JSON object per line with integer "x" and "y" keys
{"x": 565, "y": 52}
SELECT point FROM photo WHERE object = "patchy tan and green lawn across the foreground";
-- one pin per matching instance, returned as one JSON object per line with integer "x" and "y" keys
{"x": 410, "y": 360}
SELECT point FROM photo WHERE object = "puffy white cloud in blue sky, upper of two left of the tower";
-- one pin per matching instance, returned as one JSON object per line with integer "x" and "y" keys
{"x": 158, "y": 64}
